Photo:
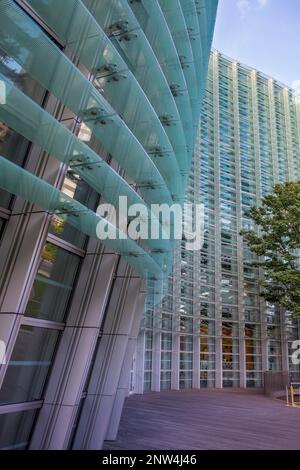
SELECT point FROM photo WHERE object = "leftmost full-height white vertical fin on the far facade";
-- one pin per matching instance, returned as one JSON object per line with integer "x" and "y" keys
{"x": 218, "y": 275}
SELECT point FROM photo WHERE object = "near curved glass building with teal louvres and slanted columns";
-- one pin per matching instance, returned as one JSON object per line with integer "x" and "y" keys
{"x": 111, "y": 114}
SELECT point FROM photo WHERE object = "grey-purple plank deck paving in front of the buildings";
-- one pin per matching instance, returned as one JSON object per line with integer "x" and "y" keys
{"x": 208, "y": 420}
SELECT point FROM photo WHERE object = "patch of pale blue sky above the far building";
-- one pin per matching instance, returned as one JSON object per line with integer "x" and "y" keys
{"x": 264, "y": 34}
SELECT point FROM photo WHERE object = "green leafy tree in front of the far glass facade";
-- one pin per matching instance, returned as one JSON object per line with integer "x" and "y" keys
{"x": 276, "y": 240}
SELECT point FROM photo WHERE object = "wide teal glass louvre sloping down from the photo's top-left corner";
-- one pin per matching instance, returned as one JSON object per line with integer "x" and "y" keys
{"x": 44, "y": 60}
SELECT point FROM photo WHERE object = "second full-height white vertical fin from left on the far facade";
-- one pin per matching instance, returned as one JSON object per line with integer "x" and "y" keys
{"x": 239, "y": 226}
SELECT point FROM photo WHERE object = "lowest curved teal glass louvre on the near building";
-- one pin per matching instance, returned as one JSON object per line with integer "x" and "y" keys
{"x": 46, "y": 196}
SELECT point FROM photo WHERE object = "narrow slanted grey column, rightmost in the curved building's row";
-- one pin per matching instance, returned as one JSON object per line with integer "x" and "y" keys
{"x": 124, "y": 381}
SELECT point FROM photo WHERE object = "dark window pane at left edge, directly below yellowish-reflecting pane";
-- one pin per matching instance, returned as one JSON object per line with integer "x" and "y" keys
{"x": 29, "y": 365}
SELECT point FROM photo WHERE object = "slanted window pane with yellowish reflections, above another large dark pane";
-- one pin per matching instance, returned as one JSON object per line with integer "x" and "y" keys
{"x": 53, "y": 284}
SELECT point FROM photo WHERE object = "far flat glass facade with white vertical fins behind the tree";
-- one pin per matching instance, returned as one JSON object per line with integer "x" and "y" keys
{"x": 221, "y": 332}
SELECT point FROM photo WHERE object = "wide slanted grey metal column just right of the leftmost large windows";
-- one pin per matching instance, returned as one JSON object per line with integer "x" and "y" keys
{"x": 76, "y": 349}
